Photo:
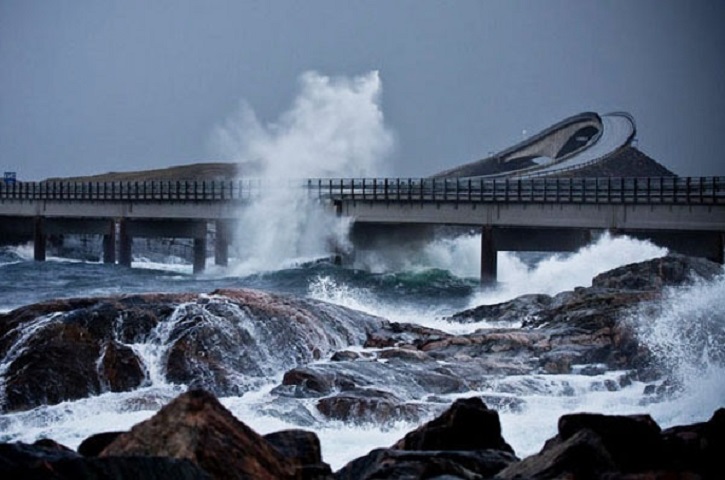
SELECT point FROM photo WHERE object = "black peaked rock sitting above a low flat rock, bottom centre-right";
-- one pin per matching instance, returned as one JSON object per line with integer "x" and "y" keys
{"x": 467, "y": 425}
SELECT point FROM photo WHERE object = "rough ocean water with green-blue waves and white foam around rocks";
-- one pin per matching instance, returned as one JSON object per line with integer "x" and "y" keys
{"x": 423, "y": 287}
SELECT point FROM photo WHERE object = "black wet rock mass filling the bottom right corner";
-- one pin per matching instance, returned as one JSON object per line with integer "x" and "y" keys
{"x": 597, "y": 446}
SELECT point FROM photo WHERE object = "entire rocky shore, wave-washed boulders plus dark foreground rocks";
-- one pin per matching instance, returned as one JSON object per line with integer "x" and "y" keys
{"x": 339, "y": 364}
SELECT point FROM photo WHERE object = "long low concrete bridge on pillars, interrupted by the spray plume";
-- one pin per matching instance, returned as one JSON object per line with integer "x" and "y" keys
{"x": 532, "y": 214}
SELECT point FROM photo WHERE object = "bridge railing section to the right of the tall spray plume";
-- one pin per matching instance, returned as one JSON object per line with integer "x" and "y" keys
{"x": 649, "y": 190}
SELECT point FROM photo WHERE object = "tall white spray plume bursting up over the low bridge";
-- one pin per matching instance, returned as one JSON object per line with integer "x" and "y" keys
{"x": 334, "y": 128}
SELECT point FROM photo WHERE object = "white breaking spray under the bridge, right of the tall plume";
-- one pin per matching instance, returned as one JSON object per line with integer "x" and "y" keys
{"x": 550, "y": 275}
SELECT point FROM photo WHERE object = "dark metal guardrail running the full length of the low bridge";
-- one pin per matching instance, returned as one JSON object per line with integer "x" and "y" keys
{"x": 645, "y": 190}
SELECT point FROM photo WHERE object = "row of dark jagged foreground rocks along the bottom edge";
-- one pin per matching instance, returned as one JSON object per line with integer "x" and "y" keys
{"x": 195, "y": 437}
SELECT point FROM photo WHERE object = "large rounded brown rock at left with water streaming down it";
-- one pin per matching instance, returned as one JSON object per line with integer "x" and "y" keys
{"x": 70, "y": 349}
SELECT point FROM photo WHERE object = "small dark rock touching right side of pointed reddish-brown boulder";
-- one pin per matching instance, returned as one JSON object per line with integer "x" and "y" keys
{"x": 303, "y": 449}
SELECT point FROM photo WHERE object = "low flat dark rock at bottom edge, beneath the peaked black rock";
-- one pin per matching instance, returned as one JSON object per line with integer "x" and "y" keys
{"x": 406, "y": 464}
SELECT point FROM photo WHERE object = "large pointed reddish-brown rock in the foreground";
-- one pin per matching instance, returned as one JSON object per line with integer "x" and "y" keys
{"x": 196, "y": 427}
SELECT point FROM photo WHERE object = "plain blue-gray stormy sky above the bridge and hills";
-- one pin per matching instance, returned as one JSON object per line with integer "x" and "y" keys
{"x": 94, "y": 86}
